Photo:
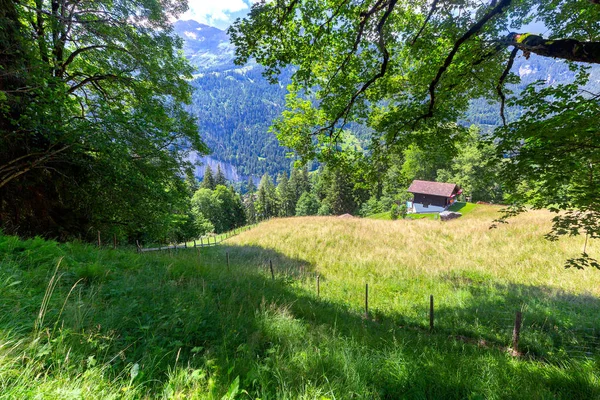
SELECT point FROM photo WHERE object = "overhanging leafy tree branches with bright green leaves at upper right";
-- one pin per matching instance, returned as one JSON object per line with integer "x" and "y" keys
{"x": 409, "y": 69}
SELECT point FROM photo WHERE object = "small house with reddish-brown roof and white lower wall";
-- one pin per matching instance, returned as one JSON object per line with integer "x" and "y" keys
{"x": 431, "y": 197}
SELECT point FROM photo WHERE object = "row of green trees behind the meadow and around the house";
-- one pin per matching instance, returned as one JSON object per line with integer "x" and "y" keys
{"x": 354, "y": 184}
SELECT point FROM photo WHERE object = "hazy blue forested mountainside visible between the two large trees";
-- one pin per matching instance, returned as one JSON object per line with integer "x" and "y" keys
{"x": 234, "y": 106}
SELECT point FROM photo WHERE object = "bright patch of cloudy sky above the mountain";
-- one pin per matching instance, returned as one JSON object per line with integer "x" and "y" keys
{"x": 217, "y": 13}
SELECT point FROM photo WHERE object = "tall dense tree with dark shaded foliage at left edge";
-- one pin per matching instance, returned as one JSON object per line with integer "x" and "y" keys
{"x": 93, "y": 133}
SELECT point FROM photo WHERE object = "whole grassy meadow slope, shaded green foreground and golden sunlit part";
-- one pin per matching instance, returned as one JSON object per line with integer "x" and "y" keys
{"x": 82, "y": 323}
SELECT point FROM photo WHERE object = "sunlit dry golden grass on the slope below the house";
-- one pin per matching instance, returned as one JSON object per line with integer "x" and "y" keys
{"x": 373, "y": 250}
